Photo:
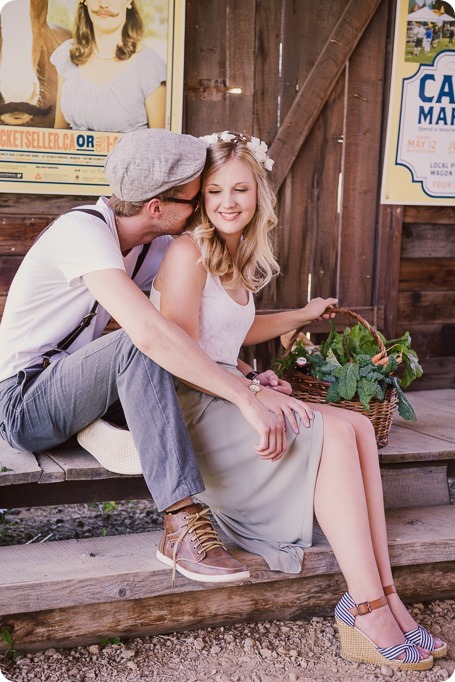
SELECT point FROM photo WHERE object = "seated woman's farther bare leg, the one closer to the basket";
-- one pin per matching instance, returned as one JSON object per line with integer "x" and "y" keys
{"x": 369, "y": 465}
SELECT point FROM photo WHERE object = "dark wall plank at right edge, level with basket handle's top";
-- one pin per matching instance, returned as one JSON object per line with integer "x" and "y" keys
{"x": 426, "y": 306}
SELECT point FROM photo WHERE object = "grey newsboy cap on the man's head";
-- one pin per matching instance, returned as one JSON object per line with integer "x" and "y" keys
{"x": 148, "y": 162}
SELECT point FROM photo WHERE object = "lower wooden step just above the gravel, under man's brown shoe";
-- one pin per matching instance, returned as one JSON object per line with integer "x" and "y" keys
{"x": 75, "y": 592}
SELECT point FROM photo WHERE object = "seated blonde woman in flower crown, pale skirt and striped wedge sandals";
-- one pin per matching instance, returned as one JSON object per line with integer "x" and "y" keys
{"x": 205, "y": 285}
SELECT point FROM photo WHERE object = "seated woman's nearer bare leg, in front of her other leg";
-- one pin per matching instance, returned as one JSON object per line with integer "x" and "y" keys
{"x": 342, "y": 512}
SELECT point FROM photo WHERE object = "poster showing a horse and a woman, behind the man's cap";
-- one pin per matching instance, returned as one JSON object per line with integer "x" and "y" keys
{"x": 74, "y": 76}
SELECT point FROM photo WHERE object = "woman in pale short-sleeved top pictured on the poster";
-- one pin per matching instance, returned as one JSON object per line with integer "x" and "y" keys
{"x": 109, "y": 80}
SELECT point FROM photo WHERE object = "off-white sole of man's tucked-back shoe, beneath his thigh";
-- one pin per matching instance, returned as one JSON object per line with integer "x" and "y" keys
{"x": 112, "y": 446}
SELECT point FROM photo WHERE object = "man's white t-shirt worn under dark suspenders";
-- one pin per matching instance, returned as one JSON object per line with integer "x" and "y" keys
{"x": 48, "y": 298}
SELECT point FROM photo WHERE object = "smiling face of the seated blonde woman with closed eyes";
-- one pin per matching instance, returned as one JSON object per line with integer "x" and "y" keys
{"x": 230, "y": 197}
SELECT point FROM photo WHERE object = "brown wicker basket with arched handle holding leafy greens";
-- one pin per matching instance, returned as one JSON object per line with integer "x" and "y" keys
{"x": 313, "y": 390}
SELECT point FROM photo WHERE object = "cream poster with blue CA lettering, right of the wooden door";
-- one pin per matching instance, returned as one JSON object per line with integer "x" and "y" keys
{"x": 419, "y": 164}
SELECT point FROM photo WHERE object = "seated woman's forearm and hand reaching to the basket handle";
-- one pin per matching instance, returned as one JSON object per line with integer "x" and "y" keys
{"x": 272, "y": 325}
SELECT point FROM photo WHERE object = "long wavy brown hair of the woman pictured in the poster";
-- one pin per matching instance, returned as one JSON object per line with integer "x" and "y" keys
{"x": 84, "y": 35}
